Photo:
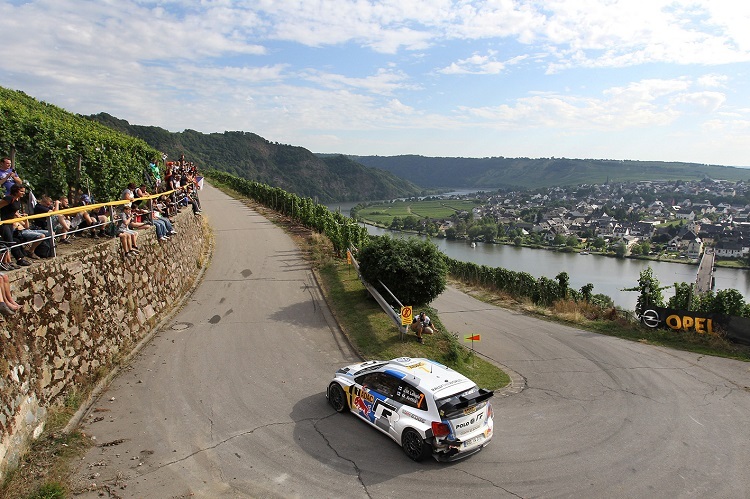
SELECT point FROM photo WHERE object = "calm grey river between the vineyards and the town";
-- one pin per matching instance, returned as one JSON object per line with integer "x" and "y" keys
{"x": 608, "y": 275}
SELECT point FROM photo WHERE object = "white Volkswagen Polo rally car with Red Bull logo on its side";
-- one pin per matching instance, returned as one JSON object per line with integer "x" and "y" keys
{"x": 428, "y": 408}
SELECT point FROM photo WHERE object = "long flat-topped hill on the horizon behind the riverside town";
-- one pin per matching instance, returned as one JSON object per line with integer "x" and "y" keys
{"x": 529, "y": 173}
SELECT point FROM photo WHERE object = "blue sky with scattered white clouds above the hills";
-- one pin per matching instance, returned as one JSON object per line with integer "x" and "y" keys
{"x": 630, "y": 79}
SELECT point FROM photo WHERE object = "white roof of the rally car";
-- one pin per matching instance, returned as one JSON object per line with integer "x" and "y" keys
{"x": 429, "y": 375}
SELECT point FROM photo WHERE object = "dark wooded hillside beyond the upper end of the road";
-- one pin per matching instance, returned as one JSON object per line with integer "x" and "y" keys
{"x": 250, "y": 156}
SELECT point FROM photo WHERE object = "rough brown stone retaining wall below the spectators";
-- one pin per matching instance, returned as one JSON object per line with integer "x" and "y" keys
{"x": 81, "y": 313}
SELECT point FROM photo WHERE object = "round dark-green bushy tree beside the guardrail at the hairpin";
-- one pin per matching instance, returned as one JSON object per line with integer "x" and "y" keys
{"x": 413, "y": 270}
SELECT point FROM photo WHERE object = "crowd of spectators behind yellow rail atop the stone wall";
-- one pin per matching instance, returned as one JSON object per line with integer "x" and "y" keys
{"x": 152, "y": 203}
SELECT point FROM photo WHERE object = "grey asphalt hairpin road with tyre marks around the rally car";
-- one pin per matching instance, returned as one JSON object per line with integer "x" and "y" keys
{"x": 228, "y": 401}
